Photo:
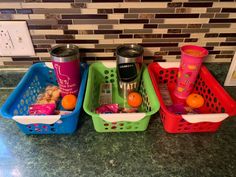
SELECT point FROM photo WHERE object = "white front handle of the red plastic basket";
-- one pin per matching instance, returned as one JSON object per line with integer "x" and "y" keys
{"x": 197, "y": 118}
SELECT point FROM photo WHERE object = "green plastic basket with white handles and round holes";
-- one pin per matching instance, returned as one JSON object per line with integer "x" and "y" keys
{"x": 105, "y": 72}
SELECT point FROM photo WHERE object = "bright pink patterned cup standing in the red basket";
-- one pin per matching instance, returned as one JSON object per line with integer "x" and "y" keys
{"x": 191, "y": 60}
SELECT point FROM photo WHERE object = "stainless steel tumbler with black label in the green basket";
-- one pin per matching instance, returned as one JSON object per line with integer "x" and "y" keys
{"x": 129, "y": 59}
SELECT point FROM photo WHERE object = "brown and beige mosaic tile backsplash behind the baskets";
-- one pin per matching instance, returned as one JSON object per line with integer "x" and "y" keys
{"x": 99, "y": 26}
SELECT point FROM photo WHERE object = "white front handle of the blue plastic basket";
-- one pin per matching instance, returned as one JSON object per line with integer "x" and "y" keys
{"x": 26, "y": 120}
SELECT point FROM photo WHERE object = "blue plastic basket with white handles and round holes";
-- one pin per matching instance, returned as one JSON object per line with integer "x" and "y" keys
{"x": 37, "y": 78}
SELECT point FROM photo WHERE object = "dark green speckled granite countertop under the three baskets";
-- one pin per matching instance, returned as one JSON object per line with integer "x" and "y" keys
{"x": 87, "y": 153}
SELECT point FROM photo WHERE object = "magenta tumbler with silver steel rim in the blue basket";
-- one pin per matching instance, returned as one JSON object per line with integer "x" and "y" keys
{"x": 66, "y": 63}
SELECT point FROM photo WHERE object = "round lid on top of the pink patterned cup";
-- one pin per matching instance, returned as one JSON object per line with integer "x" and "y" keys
{"x": 194, "y": 51}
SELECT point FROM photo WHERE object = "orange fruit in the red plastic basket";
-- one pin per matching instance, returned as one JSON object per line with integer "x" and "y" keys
{"x": 195, "y": 100}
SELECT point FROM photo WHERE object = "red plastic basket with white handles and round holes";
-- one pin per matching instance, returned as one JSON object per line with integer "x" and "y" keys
{"x": 218, "y": 104}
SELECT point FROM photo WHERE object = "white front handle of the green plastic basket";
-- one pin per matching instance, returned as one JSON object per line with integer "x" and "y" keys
{"x": 130, "y": 117}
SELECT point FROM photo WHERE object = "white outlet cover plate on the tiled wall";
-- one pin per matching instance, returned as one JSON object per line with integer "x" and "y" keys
{"x": 15, "y": 39}
